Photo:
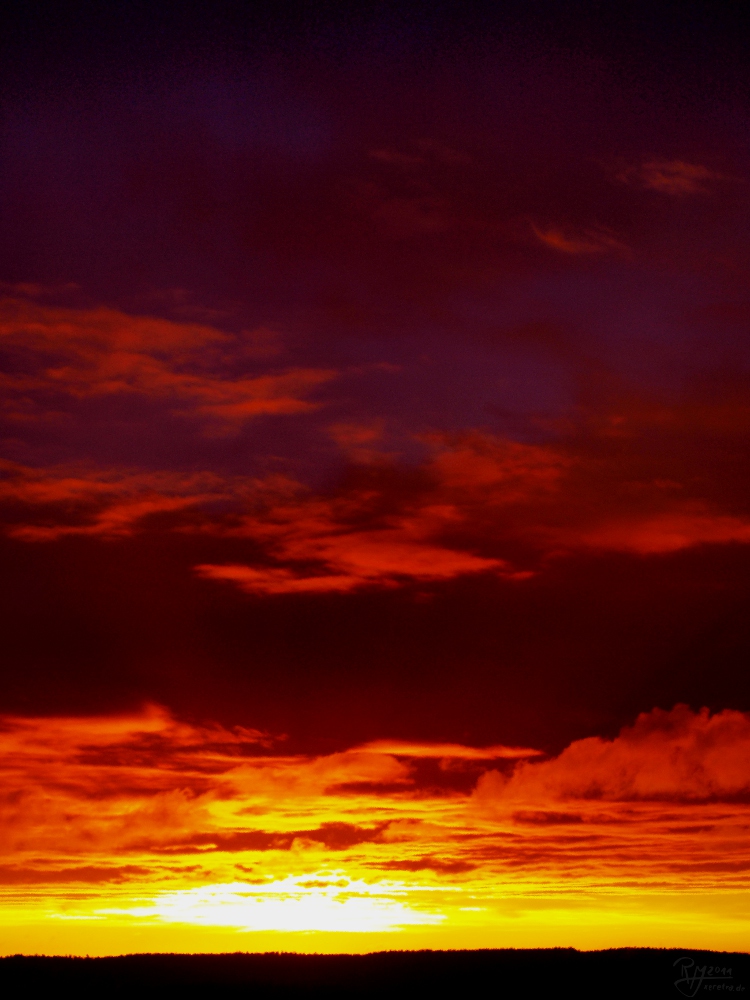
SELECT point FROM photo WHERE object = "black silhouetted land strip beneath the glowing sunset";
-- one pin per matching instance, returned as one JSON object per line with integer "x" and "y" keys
{"x": 559, "y": 972}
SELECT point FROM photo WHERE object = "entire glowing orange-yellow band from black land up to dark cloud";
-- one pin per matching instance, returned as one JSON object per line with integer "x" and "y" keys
{"x": 145, "y": 833}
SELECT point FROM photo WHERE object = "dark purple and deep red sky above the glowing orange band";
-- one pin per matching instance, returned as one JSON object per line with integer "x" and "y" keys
{"x": 386, "y": 368}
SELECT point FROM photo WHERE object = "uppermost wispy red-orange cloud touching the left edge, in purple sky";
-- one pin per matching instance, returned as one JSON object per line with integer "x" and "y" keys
{"x": 87, "y": 353}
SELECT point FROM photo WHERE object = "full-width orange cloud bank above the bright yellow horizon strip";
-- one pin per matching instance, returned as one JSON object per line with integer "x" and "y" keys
{"x": 142, "y": 800}
